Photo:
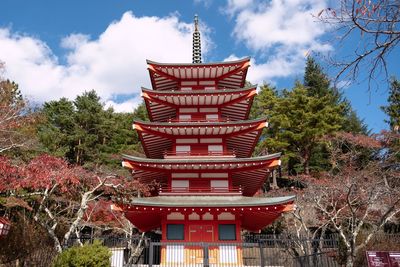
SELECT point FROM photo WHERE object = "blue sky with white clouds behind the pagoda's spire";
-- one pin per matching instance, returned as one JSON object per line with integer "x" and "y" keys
{"x": 59, "y": 49}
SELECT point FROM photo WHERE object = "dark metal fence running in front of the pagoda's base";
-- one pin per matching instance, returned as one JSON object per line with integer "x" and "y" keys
{"x": 255, "y": 250}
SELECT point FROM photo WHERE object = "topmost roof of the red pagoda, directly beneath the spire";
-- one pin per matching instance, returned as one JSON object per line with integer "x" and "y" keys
{"x": 228, "y": 74}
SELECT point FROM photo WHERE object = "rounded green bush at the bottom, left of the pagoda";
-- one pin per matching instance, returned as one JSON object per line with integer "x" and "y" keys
{"x": 88, "y": 255}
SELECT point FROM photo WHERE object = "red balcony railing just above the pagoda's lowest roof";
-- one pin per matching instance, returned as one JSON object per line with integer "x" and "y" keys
{"x": 200, "y": 191}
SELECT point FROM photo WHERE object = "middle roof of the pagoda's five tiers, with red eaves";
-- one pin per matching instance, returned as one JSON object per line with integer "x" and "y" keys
{"x": 241, "y": 136}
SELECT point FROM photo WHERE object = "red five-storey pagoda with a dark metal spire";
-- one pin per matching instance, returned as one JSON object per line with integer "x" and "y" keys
{"x": 198, "y": 144}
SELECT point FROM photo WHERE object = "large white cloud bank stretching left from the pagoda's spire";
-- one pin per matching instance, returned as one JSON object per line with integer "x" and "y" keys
{"x": 113, "y": 64}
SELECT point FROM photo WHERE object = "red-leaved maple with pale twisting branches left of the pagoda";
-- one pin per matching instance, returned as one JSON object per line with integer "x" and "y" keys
{"x": 62, "y": 198}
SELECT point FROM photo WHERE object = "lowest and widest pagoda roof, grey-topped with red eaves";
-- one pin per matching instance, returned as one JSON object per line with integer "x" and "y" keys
{"x": 254, "y": 213}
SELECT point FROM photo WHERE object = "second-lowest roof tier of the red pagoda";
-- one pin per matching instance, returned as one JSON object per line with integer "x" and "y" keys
{"x": 247, "y": 173}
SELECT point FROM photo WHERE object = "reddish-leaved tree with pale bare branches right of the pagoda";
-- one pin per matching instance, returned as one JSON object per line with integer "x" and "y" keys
{"x": 358, "y": 196}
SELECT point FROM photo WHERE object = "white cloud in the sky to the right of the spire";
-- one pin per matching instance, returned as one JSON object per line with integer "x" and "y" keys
{"x": 283, "y": 32}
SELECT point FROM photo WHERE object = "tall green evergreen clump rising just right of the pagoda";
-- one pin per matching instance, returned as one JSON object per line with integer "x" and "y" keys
{"x": 299, "y": 118}
